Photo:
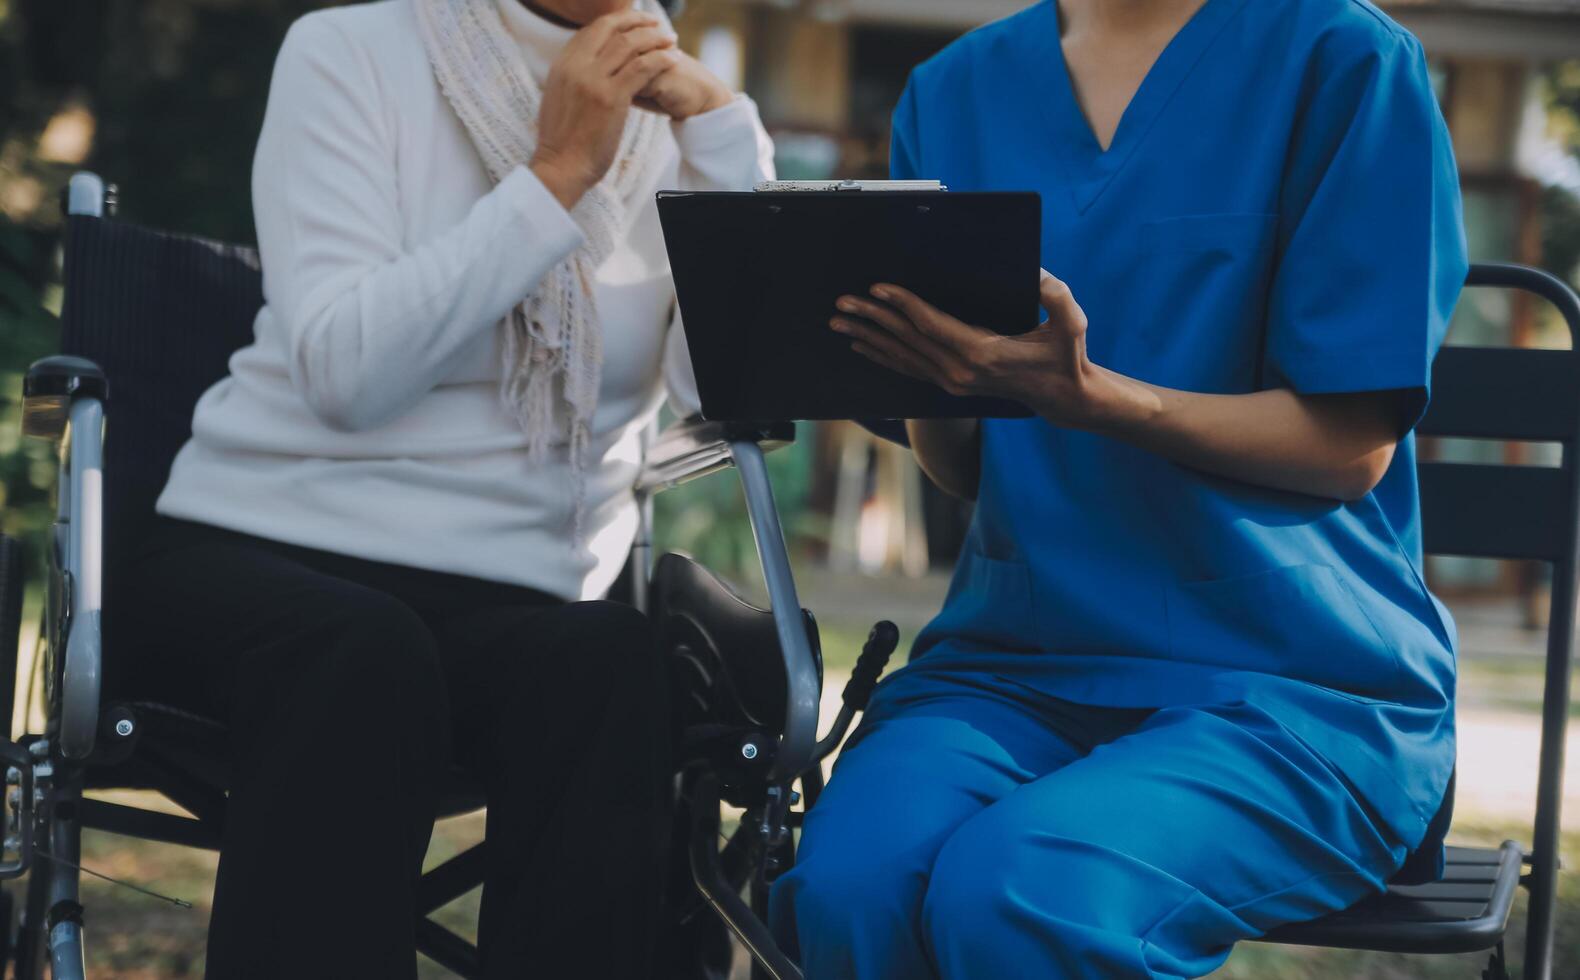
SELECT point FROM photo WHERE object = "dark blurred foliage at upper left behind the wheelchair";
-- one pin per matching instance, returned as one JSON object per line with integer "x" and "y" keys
{"x": 176, "y": 94}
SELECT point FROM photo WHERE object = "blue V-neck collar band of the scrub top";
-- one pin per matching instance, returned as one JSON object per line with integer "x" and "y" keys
{"x": 1088, "y": 168}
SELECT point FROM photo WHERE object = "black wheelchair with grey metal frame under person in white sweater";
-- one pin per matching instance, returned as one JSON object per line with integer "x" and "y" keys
{"x": 151, "y": 322}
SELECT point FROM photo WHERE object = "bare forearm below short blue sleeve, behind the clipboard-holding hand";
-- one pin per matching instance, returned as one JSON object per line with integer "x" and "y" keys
{"x": 1336, "y": 447}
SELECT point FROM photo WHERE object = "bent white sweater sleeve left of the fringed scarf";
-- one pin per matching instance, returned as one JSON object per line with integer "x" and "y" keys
{"x": 374, "y": 323}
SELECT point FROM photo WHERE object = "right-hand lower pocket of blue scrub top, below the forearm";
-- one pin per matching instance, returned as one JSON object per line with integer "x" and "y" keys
{"x": 1298, "y": 622}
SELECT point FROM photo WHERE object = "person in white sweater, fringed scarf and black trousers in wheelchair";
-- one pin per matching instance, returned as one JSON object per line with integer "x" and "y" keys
{"x": 386, "y": 545}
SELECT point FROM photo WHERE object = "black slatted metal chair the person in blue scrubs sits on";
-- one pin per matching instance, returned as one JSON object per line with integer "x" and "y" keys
{"x": 1495, "y": 511}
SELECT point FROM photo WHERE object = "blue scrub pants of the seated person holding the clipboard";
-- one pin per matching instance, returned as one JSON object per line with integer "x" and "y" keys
{"x": 968, "y": 834}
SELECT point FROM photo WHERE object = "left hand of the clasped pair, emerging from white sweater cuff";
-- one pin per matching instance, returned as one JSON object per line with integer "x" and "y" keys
{"x": 590, "y": 94}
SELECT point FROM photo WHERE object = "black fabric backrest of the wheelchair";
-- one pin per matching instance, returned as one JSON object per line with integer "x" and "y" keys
{"x": 162, "y": 315}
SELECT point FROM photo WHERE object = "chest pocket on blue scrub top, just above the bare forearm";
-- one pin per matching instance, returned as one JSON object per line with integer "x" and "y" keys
{"x": 1203, "y": 287}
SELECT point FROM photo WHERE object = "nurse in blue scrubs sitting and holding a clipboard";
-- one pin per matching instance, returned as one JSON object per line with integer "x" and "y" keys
{"x": 1189, "y": 684}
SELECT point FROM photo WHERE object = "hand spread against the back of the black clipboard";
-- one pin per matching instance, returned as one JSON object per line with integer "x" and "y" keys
{"x": 1045, "y": 369}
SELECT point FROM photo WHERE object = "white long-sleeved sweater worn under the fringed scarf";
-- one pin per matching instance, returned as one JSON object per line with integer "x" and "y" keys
{"x": 366, "y": 418}
